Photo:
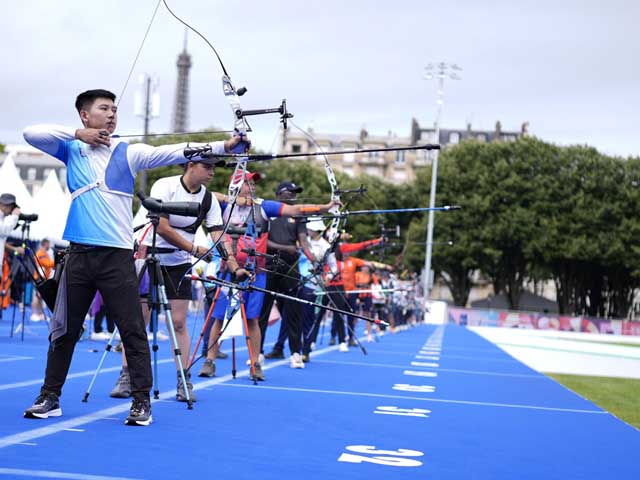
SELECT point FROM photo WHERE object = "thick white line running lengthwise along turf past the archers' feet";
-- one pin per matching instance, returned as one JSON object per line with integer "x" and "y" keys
{"x": 53, "y": 428}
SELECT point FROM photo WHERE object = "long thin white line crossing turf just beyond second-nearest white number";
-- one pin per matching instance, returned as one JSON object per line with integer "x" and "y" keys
{"x": 438, "y": 400}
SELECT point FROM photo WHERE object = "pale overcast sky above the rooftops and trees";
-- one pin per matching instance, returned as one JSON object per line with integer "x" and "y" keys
{"x": 569, "y": 68}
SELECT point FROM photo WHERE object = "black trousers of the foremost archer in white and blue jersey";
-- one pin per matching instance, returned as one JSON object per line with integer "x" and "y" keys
{"x": 111, "y": 271}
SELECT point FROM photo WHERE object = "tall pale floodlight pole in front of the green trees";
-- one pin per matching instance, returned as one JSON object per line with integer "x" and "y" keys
{"x": 440, "y": 71}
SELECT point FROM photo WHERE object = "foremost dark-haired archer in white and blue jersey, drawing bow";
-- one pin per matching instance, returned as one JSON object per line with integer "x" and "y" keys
{"x": 101, "y": 171}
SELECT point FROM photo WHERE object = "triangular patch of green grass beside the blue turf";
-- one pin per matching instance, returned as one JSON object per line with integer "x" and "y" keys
{"x": 619, "y": 396}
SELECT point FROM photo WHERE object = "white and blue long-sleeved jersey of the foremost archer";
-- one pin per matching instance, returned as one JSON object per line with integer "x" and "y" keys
{"x": 103, "y": 180}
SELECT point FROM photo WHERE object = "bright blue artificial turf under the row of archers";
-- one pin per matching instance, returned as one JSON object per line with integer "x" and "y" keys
{"x": 487, "y": 416}
